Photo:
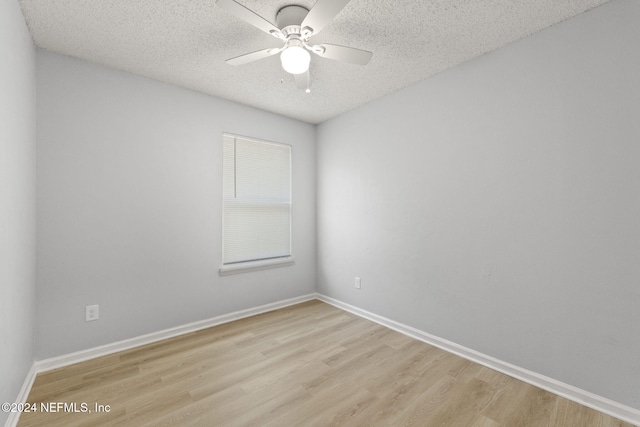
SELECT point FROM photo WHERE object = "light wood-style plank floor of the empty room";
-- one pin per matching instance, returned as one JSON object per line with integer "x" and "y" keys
{"x": 306, "y": 365}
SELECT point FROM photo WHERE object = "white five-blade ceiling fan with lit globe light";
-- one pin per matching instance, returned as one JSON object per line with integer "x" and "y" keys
{"x": 295, "y": 25}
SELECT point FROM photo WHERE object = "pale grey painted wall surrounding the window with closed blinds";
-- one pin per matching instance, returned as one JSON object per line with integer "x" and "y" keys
{"x": 129, "y": 206}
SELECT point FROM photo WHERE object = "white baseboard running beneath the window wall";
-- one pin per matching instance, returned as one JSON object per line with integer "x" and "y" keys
{"x": 81, "y": 356}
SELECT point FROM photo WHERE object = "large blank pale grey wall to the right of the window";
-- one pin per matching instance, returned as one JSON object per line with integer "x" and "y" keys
{"x": 497, "y": 205}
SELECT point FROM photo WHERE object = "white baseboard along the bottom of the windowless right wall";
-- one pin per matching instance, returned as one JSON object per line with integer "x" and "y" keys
{"x": 586, "y": 398}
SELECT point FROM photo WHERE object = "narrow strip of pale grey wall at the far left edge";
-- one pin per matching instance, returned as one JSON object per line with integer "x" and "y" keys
{"x": 17, "y": 201}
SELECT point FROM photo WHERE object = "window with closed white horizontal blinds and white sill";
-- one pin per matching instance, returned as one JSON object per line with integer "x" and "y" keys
{"x": 256, "y": 204}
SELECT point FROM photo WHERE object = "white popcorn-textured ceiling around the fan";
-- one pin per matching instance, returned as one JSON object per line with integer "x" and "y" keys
{"x": 186, "y": 43}
